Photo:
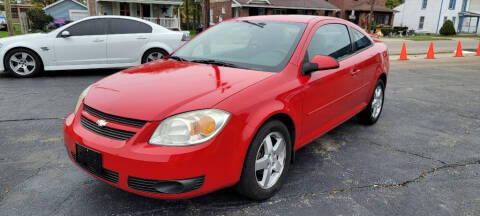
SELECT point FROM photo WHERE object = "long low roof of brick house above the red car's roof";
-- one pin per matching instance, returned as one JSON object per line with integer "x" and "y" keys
{"x": 287, "y": 4}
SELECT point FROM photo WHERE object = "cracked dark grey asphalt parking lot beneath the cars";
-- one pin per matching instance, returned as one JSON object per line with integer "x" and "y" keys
{"x": 421, "y": 158}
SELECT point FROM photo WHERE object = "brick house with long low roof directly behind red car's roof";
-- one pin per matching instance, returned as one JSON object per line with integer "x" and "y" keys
{"x": 225, "y": 9}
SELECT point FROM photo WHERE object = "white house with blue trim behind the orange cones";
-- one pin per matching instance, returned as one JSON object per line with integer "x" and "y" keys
{"x": 428, "y": 16}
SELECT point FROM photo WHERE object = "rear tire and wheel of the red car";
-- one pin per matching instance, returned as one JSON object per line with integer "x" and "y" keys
{"x": 371, "y": 113}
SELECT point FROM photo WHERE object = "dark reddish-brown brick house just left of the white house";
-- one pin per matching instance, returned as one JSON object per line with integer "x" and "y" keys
{"x": 357, "y": 11}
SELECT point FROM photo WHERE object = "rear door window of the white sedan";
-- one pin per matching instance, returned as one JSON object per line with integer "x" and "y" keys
{"x": 126, "y": 26}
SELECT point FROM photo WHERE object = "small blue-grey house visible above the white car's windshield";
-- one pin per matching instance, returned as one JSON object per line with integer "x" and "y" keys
{"x": 67, "y": 9}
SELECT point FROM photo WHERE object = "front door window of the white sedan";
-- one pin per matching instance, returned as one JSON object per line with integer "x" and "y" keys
{"x": 88, "y": 27}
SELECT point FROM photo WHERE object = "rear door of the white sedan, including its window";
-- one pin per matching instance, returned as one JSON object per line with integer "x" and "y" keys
{"x": 126, "y": 39}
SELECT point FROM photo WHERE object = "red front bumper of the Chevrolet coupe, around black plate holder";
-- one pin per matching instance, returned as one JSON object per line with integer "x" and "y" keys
{"x": 158, "y": 171}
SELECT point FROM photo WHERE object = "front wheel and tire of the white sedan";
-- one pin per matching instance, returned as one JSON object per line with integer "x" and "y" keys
{"x": 22, "y": 62}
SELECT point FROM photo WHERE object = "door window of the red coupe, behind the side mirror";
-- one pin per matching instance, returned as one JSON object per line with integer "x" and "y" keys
{"x": 330, "y": 40}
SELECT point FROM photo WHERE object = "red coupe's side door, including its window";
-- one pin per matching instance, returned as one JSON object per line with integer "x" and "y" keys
{"x": 327, "y": 93}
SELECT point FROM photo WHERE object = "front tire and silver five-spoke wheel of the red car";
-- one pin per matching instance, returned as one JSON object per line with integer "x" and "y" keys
{"x": 267, "y": 162}
